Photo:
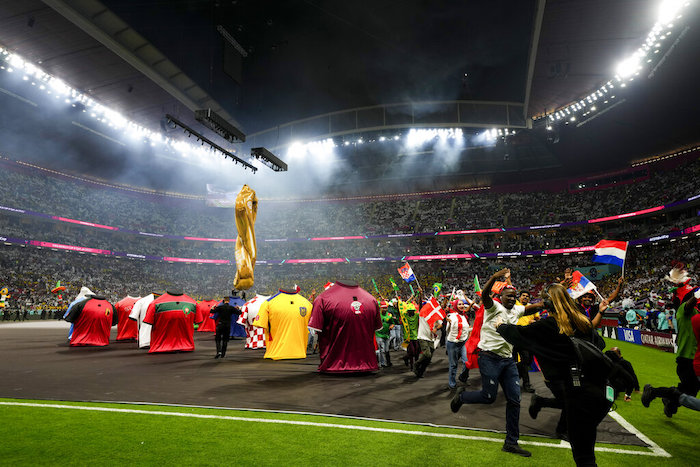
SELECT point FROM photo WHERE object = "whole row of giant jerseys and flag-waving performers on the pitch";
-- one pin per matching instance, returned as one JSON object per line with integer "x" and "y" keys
{"x": 498, "y": 332}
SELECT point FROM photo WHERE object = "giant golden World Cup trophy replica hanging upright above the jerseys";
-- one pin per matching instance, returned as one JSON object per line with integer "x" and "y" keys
{"x": 246, "y": 250}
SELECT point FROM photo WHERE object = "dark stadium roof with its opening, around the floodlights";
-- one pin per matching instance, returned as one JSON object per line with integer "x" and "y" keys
{"x": 262, "y": 64}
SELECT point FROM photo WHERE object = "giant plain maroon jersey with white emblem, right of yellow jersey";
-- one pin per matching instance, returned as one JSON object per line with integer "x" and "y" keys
{"x": 346, "y": 317}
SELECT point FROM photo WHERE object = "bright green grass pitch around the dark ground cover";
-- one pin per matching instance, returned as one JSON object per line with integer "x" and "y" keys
{"x": 76, "y": 433}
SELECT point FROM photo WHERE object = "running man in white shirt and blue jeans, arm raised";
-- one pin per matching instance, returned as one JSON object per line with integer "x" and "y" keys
{"x": 496, "y": 362}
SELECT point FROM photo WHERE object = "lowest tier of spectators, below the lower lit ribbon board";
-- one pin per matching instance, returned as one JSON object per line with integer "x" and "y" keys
{"x": 30, "y": 273}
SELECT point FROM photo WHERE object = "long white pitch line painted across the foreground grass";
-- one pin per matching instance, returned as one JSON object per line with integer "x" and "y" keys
{"x": 662, "y": 453}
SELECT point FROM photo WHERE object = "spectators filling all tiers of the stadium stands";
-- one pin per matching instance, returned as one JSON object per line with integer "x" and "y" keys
{"x": 30, "y": 273}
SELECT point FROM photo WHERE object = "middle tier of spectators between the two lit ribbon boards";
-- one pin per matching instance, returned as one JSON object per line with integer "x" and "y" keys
{"x": 34, "y": 228}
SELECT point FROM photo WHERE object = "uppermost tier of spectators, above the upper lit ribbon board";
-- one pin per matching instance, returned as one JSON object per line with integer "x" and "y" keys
{"x": 29, "y": 188}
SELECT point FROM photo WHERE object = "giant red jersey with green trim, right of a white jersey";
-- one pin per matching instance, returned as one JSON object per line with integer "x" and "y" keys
{"x": 172, "y": 318}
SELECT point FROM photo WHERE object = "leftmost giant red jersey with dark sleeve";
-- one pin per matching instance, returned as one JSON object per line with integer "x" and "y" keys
{"x": 92, "y": 319}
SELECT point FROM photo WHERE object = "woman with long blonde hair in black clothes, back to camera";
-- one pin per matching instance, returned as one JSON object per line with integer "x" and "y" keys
{"x": 548, "y": 339}
